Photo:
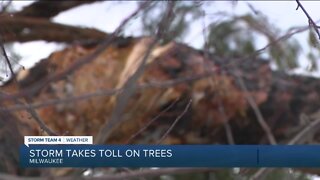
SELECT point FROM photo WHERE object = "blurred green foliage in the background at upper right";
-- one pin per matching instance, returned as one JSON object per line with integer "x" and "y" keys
{"x": 234, "y": 36}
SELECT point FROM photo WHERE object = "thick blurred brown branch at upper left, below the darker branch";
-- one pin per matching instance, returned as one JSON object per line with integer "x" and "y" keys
{"x": 23, "y": 29}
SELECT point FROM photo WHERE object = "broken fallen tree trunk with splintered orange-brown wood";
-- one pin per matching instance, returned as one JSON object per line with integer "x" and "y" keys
{"x": 182, "y": 96}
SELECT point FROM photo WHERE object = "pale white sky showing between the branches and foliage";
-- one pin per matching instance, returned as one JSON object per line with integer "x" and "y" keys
{"x": 107, "y": 15}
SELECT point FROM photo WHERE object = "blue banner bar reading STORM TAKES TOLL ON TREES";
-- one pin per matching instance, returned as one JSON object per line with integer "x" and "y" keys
{"x": 170, "y": 156}
